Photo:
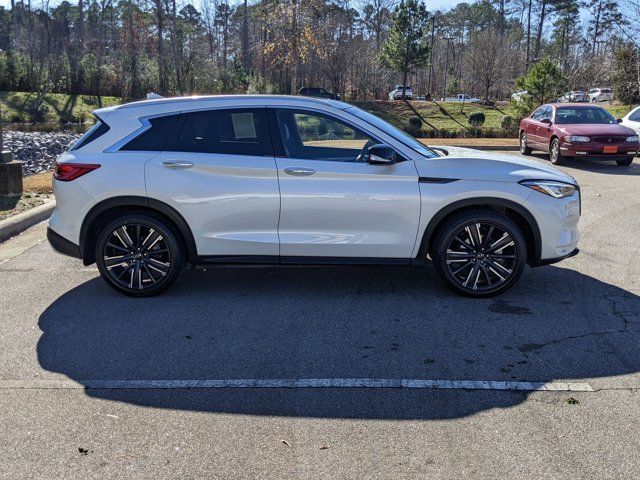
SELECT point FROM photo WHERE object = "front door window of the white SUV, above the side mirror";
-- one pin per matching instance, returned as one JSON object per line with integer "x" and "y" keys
{"x": 314, "y": 136}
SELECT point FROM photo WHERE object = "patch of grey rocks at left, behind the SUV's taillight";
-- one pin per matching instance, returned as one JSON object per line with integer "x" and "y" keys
{"x": 37, "y": 150}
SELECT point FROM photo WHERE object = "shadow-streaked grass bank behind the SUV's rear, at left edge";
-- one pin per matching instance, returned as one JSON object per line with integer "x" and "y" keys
{"x": 20, "y": 107}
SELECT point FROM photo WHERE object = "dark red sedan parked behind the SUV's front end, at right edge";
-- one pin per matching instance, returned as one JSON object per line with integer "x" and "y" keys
{"x": 577, "y": 130}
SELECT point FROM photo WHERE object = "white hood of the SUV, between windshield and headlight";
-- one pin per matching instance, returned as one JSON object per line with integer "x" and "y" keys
{"x": 469, "y": 164}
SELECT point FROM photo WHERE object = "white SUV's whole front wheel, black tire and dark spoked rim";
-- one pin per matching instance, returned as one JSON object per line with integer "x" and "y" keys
{"x": 478, "y": 271}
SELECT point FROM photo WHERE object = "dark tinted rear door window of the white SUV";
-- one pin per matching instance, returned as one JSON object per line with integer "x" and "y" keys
{"x": 223, "y": 131}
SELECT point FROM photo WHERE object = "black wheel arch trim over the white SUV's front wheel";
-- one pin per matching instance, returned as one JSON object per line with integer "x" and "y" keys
{"x": 517, "y": 213}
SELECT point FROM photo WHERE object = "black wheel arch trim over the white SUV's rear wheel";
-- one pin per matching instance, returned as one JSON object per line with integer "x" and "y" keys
{"x": 107, "y": 210}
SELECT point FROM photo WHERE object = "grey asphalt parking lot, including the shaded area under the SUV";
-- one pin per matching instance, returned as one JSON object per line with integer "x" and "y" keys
{"x": 575, "y": 323}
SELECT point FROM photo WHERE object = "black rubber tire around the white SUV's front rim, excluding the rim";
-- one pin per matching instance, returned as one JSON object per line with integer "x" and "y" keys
{"x": 451, "y": 228}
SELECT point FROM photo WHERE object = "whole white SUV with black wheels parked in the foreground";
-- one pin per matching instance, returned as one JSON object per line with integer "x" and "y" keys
{"x": 160, "y": 184}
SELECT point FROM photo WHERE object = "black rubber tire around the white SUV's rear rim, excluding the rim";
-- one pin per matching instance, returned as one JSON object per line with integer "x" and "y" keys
{"x": 169, "y": 236}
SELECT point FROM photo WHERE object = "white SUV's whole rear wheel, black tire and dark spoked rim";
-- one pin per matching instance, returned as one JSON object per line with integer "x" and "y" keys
{"x": 139, "y": 255}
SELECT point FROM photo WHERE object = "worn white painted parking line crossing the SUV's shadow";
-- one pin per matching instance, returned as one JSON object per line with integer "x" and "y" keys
{"x": 296, "y": 383}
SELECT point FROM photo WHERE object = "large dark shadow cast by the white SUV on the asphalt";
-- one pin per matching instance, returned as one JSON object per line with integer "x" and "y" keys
{"x": 386, "y": 322}
